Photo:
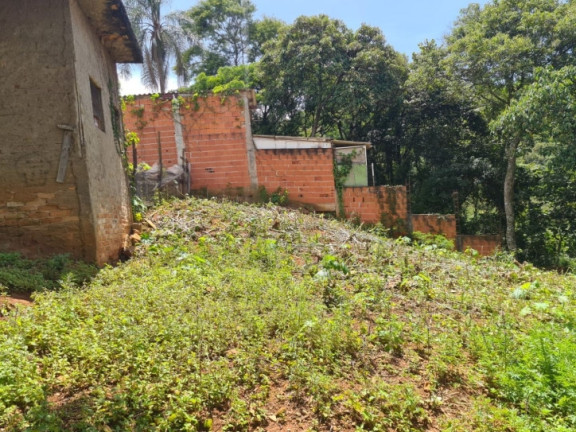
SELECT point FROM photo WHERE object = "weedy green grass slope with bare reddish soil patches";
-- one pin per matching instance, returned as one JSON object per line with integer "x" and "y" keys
{"x": 244, "y": 318}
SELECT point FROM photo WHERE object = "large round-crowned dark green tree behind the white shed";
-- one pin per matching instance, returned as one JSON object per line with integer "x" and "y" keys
{"x": 321, "y": 79}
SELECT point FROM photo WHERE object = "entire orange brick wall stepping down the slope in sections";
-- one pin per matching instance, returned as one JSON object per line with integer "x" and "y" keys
{"x": 214, "y": 135}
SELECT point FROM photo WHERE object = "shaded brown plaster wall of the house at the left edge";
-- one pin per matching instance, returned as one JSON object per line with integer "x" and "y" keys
{"x": 37, "y": 215}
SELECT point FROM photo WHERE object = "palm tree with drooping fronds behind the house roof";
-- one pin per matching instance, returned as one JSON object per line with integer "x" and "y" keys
{"x": 162, "y": 40}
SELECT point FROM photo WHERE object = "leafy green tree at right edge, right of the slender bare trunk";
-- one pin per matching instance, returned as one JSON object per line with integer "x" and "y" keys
{"x": 545, "y": 113}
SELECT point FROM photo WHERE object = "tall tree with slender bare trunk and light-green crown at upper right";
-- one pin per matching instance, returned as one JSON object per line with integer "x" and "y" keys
{"x": 496, "y": 50}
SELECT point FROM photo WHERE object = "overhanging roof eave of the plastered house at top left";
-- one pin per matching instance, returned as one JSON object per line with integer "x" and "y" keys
{"x": 112, "y": 25}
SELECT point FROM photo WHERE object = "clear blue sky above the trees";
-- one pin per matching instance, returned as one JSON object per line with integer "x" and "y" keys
{"x": 405, "y": 23}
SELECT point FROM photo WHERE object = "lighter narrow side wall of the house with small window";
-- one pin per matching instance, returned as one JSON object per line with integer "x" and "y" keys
{"x": 99, "y": 162}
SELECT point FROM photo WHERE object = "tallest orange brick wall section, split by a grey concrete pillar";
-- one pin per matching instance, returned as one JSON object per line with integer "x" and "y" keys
{"x": 214, "y": 134}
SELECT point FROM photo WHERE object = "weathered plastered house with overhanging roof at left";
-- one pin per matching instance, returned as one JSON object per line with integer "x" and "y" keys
{"x": 62, "y": 184}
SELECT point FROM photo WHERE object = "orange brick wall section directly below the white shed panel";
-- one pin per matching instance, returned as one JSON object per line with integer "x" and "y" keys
{"x": 307, "y": 175}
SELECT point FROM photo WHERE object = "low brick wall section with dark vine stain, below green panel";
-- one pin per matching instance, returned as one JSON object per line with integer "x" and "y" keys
{"x": 385, "y": 204}
